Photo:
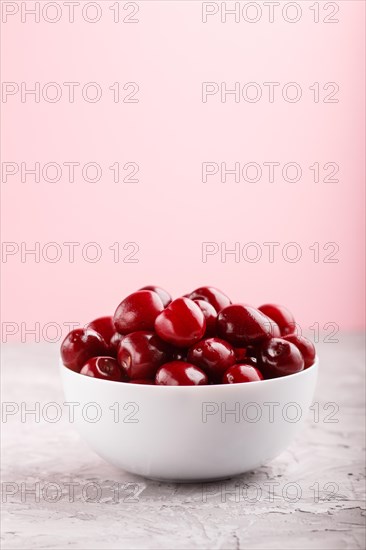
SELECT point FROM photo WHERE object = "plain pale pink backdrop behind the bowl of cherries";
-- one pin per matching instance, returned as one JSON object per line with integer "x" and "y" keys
{"x": 169, "y": 133}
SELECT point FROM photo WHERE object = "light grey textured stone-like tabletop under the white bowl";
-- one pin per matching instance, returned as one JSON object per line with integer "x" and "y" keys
{"x": 316, "y": 500}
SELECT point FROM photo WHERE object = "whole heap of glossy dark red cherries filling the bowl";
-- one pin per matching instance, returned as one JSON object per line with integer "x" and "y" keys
{"x": 200, "y": 338}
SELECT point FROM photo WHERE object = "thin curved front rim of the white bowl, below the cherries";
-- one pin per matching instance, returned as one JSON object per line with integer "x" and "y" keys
{"x": 278, "y": 380}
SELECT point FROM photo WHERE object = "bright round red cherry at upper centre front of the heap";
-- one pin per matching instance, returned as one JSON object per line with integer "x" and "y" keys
{"x": 182, "y": 323}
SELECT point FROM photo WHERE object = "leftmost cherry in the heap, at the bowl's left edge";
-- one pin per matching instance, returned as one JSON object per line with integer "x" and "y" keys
{"x": 79, "y": 346}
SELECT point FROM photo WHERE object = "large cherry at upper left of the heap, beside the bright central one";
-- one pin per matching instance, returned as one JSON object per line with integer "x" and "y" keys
{"x": 138, "y": 312}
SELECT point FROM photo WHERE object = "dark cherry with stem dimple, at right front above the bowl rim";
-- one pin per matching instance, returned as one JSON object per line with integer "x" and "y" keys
{"x": 278, "y": 357}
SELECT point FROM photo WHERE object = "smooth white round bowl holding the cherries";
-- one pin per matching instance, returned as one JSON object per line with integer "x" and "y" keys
{"x": 189, "y": 433}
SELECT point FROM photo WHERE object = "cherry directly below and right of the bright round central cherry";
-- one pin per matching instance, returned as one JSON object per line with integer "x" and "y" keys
{"x": 213, "y": 355}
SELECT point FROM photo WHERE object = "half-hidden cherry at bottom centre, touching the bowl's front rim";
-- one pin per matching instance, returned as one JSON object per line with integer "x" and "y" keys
{"x": 178, "y": 373}
